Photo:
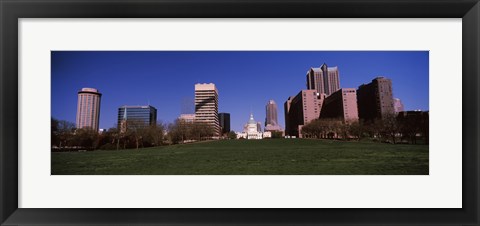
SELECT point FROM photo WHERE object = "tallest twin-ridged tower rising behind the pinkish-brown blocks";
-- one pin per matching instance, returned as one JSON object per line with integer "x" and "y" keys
{"x": 324, "y": 79}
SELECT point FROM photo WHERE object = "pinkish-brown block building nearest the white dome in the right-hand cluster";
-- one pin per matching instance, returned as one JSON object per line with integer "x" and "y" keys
{"x": 300, "y": 110}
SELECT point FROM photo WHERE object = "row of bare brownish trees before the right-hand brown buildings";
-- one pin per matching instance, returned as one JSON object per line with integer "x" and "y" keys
{"x": 402, "y": 128}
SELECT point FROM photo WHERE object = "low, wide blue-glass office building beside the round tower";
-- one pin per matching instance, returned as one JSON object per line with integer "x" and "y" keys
{"x": 136, "y": 117}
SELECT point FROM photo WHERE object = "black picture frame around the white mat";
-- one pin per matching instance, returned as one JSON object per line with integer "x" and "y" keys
{"x": 12, "y": 10}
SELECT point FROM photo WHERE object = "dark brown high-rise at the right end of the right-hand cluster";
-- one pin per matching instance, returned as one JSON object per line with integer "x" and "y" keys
{"x": 375, "y": 99}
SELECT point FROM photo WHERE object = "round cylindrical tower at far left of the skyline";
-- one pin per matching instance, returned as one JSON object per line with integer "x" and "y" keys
{"x": 88, "y": 108}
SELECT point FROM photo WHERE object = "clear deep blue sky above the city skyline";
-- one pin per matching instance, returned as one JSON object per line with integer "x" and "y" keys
{"x": 246, "y": 80}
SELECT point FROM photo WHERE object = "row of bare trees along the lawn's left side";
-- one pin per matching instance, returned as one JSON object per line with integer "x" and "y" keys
{"x": 133, "y": 134}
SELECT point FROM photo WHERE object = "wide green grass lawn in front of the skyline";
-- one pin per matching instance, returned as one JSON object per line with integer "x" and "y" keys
{"x": 251, "y": 157}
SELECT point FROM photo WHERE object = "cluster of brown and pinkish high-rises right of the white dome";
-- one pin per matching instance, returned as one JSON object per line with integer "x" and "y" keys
{"x": 324, "y": 98}
